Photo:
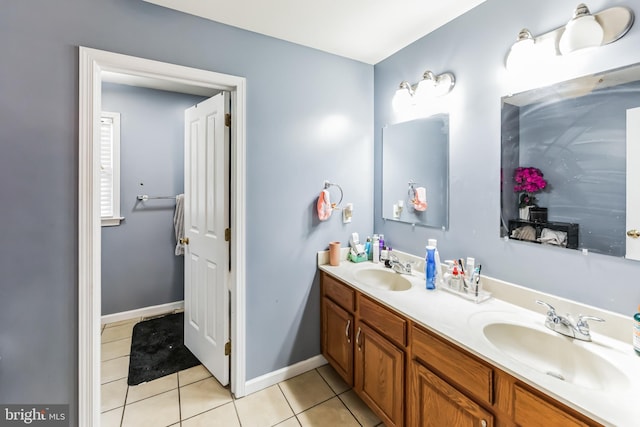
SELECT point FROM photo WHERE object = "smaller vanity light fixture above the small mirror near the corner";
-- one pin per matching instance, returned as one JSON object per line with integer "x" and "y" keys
{"x": 430, "y": 87}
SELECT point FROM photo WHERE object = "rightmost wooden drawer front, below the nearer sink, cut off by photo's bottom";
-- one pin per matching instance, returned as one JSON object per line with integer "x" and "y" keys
{"x": 529, "y": 409}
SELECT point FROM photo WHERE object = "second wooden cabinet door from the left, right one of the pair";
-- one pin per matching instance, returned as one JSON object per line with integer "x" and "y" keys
{"x": 379, "y": 375}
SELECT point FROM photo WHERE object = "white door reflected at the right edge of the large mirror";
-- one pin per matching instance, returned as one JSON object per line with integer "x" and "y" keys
{"x": 633, "y": 178}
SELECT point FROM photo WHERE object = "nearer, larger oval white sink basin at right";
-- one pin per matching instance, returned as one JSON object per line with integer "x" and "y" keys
{"x": 555, "y": 355}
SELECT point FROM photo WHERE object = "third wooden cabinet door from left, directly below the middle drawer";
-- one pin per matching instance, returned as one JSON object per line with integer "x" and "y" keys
{"x": 436, "y": 403}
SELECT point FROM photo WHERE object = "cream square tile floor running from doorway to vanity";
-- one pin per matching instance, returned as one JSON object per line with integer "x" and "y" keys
{"x": 193, "y": 398}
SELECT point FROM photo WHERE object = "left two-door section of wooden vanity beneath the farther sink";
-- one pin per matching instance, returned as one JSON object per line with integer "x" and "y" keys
{"x": 369, "y": 353}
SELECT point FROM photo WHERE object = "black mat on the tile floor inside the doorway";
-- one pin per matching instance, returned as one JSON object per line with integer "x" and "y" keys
{"x": 157, "y": 349}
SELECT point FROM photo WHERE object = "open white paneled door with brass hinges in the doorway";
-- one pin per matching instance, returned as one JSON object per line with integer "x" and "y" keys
{"x": 206, "y": 212}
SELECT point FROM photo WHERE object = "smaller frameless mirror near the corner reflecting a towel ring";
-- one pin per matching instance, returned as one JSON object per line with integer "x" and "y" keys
{"x": 415, "y": 172}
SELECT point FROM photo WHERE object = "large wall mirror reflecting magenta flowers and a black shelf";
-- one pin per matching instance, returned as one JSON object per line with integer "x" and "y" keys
{"x": 577, "y": 134}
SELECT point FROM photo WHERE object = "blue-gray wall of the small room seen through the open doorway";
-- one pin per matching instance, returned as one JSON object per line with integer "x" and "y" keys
{"x": 139, "y": 268}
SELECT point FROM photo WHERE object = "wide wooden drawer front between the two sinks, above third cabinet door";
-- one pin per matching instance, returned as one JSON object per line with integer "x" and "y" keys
{"x": 452, "y": 362}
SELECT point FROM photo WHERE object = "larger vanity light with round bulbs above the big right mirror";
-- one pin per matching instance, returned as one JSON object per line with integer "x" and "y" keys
{"x": 584, "y": 30}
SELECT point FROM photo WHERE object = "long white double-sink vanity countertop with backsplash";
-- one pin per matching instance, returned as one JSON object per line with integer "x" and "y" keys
{"x": 461, "y": 321}
